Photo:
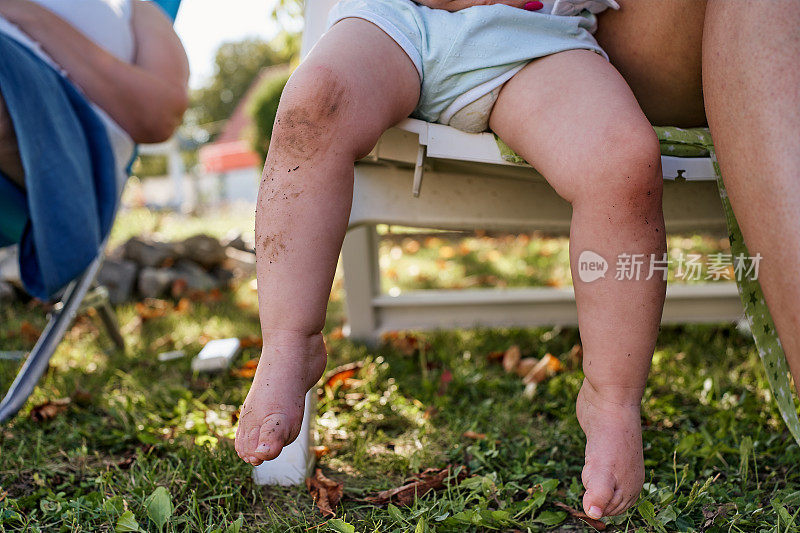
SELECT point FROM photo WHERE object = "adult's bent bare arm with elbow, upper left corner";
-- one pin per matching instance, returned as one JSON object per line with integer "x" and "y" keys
{"x": 146, "y": 98}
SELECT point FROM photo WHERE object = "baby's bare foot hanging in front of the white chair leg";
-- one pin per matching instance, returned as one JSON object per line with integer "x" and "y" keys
{"x": 291, "y": 363}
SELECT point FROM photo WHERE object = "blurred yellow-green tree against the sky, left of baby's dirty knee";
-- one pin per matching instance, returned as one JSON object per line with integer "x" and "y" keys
{"x": 236, "y": 66}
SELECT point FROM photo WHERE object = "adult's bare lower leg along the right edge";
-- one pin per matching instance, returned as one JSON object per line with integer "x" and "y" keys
{"x": 752, "y": 88}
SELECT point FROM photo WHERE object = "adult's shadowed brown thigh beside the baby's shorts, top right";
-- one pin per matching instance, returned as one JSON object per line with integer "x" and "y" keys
{"x": 655, "y": 45}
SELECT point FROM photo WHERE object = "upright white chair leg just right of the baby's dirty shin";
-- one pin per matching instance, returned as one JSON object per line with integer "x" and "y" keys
{"x": 361, "y": 282}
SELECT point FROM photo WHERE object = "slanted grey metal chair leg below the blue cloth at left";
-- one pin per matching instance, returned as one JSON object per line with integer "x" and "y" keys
{"x": 39, "y": 359}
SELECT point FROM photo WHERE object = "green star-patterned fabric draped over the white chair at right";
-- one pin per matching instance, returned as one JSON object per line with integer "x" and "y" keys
{"x": 696, "y": 142}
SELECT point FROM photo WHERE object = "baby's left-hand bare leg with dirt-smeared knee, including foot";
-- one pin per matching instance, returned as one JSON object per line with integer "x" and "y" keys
{"x": 355, "y": 84}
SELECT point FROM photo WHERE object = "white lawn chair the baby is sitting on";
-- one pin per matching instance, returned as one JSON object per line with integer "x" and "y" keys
{"x": 468, "y": 185}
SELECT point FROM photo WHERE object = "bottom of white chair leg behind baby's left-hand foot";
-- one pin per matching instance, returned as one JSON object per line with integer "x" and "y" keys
{"x": 295, "y": 462}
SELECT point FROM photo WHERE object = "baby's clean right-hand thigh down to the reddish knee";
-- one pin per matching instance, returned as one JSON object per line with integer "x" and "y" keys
{"x": 573, "y": 117}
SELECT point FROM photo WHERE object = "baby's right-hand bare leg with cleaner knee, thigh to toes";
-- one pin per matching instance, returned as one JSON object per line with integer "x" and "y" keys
{"x": 574, "y": 118}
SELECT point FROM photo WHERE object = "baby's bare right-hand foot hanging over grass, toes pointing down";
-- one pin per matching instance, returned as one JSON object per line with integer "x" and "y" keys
{"x": 613, "y": 473}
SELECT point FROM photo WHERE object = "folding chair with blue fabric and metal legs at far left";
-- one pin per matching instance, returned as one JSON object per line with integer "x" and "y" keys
{"x": 81, "y": 294}
